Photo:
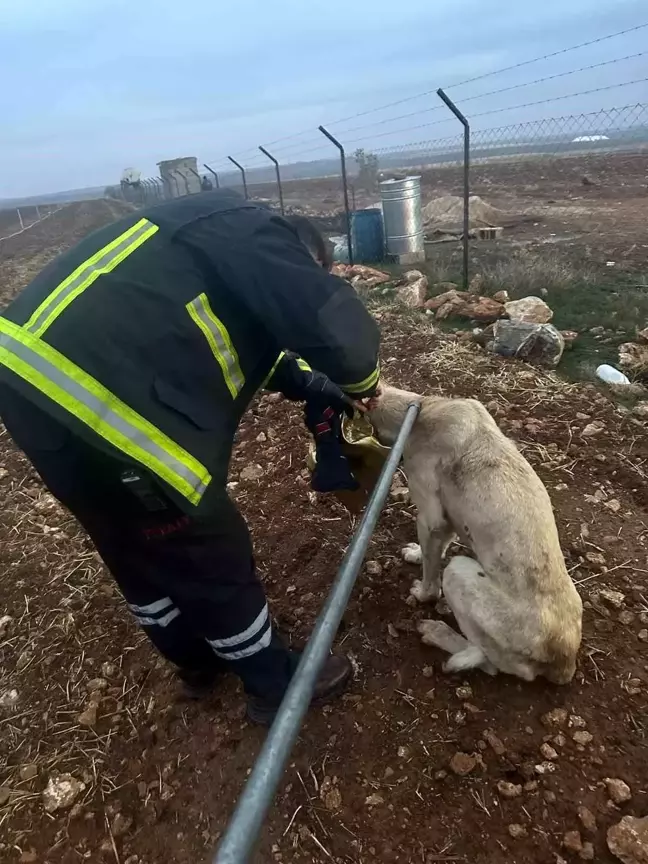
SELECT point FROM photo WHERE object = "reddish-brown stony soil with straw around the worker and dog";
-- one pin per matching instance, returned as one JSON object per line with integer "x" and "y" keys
{"x": 372, "y": 777}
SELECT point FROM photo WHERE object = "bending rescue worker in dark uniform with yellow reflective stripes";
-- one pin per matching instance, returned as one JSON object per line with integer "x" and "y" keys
{"x": 125, "y": 367}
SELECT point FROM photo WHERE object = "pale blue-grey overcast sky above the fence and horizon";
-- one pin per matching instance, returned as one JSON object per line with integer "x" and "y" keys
{"x": 94, "y": 86}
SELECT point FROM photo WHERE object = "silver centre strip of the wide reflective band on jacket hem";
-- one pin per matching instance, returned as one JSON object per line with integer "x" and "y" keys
{"x": 102, "y": 411}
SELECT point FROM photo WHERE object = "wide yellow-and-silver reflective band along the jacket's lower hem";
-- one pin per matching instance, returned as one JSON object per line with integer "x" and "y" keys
{"x": 69, "y": 386}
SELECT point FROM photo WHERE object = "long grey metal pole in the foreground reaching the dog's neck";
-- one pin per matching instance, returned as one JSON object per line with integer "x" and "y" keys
{"x": 240, "y": 837}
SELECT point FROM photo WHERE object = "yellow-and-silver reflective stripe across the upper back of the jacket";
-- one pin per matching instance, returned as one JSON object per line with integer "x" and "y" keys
{"x": 103, "y": 261}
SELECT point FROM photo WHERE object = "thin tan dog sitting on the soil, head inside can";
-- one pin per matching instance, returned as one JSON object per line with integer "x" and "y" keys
{"x": 516, "y": 604}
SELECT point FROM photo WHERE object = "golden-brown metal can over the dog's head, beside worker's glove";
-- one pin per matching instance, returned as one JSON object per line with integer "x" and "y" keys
{"x": 366, "y": 457}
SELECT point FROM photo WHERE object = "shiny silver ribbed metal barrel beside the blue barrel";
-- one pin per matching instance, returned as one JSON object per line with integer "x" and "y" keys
{"x": 403, "y": 217}
